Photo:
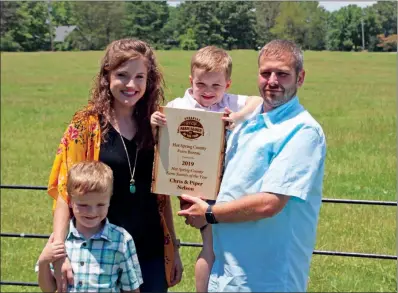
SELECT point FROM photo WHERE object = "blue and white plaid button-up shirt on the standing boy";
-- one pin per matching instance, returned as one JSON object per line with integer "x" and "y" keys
{"x": 107, "y": 262}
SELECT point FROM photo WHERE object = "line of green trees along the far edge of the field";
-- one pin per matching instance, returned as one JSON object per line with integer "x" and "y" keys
{"x": 30, "y": 26}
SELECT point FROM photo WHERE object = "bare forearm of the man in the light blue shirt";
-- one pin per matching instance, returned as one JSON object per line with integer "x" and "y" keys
{"x": 250, "y": 208}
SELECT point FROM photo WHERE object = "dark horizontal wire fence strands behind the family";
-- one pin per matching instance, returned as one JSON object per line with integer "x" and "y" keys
{"x": 194, "y": 244}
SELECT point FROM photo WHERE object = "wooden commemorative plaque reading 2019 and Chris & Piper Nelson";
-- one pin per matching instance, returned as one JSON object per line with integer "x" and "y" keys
{"x": 189, "y": 154}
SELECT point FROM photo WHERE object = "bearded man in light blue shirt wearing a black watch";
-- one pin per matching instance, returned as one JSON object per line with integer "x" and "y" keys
{"x": 265, "y": 218}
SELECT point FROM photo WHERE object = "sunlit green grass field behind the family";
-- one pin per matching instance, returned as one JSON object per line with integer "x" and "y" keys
{"x": 352, "y": 95}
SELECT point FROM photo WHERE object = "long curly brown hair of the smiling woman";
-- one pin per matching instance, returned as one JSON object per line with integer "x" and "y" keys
{"x": 101, "y": 101}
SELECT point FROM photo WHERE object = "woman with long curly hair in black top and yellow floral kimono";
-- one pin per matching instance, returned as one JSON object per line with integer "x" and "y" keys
{"x": 115, "y": 129}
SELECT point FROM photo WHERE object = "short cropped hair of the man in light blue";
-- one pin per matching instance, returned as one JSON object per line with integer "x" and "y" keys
{"x": 279, "y": 48}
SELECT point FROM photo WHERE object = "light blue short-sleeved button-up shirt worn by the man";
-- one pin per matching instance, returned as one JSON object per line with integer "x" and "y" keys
{"x": 283, "y": 152}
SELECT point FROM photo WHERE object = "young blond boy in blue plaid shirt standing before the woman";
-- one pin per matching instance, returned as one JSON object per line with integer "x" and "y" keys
{"x": 102, "y": 255}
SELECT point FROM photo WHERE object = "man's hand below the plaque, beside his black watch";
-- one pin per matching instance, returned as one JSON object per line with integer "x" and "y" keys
{"x": 195, "y": 214}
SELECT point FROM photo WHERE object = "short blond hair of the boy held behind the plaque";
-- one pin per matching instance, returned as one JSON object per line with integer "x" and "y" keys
{"x": 212, "y": 59}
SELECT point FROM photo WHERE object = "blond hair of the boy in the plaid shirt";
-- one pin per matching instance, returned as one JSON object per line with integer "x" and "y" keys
{"x": 89, "y": 176}
